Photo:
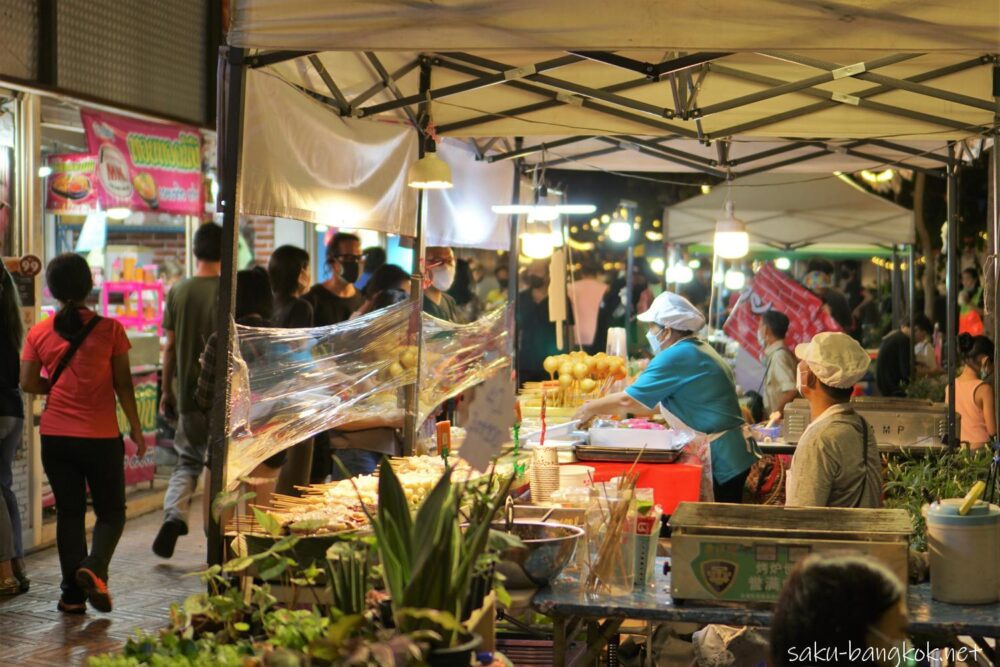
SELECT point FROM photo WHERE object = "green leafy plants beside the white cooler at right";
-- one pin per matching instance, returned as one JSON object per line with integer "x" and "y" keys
{"x": 913, "y": 481}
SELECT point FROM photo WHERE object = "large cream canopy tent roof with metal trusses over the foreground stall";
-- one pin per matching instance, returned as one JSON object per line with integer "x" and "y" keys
{"x": 723, "y": 87}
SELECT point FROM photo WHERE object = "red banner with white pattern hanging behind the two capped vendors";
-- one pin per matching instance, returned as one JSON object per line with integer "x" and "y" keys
{"x": 774, "y": 290}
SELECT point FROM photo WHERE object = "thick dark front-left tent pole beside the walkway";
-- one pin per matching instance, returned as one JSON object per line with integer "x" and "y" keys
{"x": 233, "y": 80}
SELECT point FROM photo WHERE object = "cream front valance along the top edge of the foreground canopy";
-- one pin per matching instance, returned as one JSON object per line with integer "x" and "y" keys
{"x": 692, "y": 25}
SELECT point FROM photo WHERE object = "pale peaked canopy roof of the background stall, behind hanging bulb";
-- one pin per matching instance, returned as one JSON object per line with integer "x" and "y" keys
{"x": 793, "y": 211}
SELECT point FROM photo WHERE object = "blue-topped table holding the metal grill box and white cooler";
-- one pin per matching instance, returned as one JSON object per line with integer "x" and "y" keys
{"x": 603, "y": 616}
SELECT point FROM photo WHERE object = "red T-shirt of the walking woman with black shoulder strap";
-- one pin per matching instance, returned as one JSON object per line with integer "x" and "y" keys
{"x": 82, "y": 403}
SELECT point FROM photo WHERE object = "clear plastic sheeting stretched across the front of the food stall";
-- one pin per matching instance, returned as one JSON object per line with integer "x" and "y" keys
{"x": 291, "y": 384}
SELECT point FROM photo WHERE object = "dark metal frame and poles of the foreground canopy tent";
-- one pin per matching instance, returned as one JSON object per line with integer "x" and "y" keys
{"x": 677, "y": 73}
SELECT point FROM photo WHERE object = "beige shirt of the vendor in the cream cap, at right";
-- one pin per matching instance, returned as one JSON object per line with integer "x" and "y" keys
{"x": 829, "y": 468}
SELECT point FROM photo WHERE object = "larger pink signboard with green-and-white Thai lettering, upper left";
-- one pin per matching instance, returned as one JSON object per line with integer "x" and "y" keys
{"x": 146, "y": 166}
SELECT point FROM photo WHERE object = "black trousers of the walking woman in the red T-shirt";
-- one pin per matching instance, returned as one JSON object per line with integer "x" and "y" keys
{"x": 72, "y": 465}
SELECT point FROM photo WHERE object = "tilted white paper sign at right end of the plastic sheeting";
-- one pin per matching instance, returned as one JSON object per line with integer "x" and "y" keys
{"x": 491, "y": 415}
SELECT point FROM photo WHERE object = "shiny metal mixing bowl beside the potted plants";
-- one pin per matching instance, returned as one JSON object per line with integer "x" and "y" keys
{"x": 547, "y": 549}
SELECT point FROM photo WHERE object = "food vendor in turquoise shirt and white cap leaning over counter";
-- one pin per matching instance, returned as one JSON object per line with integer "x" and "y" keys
{"x": 694, "y": 389}
